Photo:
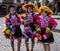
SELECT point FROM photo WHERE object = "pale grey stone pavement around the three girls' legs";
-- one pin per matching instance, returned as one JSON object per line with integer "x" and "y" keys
{"x": 5, "y": 43}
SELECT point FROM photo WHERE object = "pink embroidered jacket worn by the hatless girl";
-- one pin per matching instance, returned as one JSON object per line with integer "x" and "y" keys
{"x": 13, "y": 19}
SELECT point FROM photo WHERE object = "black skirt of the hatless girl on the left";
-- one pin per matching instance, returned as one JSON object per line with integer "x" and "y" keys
{"x": 18, "y": 33}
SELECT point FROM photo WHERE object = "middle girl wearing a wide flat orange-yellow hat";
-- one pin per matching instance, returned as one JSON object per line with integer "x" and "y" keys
{"x": 30, "y": 7}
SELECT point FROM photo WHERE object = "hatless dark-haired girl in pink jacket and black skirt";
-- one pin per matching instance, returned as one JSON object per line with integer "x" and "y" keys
{"x": 13, "y": 30}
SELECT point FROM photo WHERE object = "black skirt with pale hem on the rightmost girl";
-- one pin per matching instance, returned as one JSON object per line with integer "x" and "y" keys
{"x": 45, "y": 39}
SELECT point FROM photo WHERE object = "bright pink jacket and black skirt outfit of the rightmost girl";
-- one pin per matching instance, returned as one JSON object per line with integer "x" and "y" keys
{"x": 45, "y": 26}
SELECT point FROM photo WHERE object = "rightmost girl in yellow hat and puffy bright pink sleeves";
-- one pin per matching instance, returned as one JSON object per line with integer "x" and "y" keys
{"x": 46, "y": 24}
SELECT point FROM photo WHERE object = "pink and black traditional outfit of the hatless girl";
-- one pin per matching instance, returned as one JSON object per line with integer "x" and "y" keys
{"x": 13, "y": 25}
